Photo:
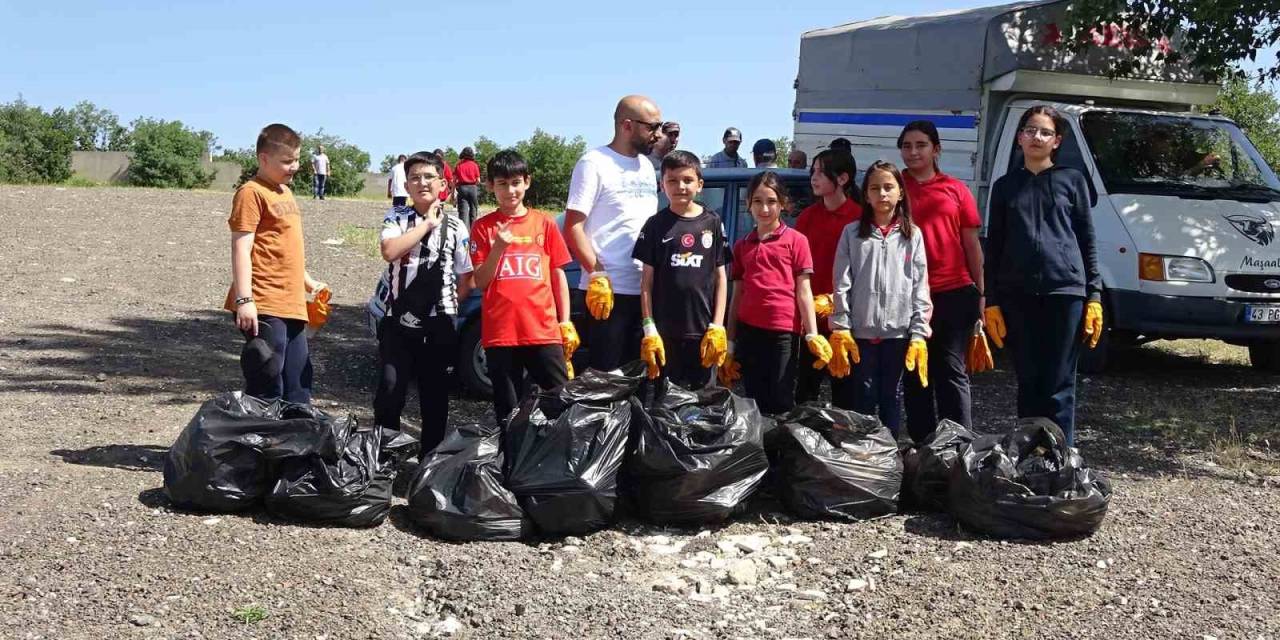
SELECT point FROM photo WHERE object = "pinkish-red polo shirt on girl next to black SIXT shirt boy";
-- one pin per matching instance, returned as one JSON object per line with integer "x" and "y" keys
{"x": 767, "y": 269}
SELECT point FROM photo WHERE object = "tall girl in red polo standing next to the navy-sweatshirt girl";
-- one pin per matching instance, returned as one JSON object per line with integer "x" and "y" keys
{"x": 945, "y": 212}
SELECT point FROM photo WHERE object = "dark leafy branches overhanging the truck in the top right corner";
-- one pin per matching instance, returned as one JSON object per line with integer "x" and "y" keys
{"x": 1218, "y": 36}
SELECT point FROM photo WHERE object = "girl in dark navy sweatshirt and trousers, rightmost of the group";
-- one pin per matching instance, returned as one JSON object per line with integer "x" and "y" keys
{"x": 1043, "y": 271}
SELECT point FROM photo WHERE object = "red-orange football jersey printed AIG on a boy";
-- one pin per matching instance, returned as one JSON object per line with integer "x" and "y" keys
{"x": 519, "y": 307}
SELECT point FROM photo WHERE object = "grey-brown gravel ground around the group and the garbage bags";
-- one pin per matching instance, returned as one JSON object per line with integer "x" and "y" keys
{"x": 111, "y": 337}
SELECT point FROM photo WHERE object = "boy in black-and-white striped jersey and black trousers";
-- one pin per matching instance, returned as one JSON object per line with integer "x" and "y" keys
{"x": 431, "y": 273}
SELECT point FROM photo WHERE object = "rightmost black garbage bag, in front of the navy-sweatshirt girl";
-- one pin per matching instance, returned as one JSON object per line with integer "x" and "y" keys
{"x": 1027, "y": 484}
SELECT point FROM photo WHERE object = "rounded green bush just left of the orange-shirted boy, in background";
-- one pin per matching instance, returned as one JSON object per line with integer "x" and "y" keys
{"x": 168, "y": 156}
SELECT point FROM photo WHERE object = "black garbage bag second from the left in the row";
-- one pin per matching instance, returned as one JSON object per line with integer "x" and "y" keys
{"x": 353, "y": 491}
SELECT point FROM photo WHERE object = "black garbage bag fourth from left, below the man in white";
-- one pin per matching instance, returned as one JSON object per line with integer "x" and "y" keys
{"x": 564, "y": 450}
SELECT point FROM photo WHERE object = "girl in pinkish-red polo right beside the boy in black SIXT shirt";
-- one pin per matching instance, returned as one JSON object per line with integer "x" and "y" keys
{"x": 772, "y": 303}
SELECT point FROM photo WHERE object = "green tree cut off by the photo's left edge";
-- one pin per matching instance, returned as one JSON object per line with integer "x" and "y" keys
{"x": 33, "y": 148}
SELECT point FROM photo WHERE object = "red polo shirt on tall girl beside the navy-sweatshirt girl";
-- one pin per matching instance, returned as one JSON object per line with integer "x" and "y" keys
{"x": 941, "y": 208}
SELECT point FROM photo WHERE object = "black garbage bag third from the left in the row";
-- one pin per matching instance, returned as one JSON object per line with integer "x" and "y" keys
{"x": 458, "y": 493}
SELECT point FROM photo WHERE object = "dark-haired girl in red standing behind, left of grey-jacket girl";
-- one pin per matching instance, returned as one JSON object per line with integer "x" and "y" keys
{"x": 836, "y": 204}
